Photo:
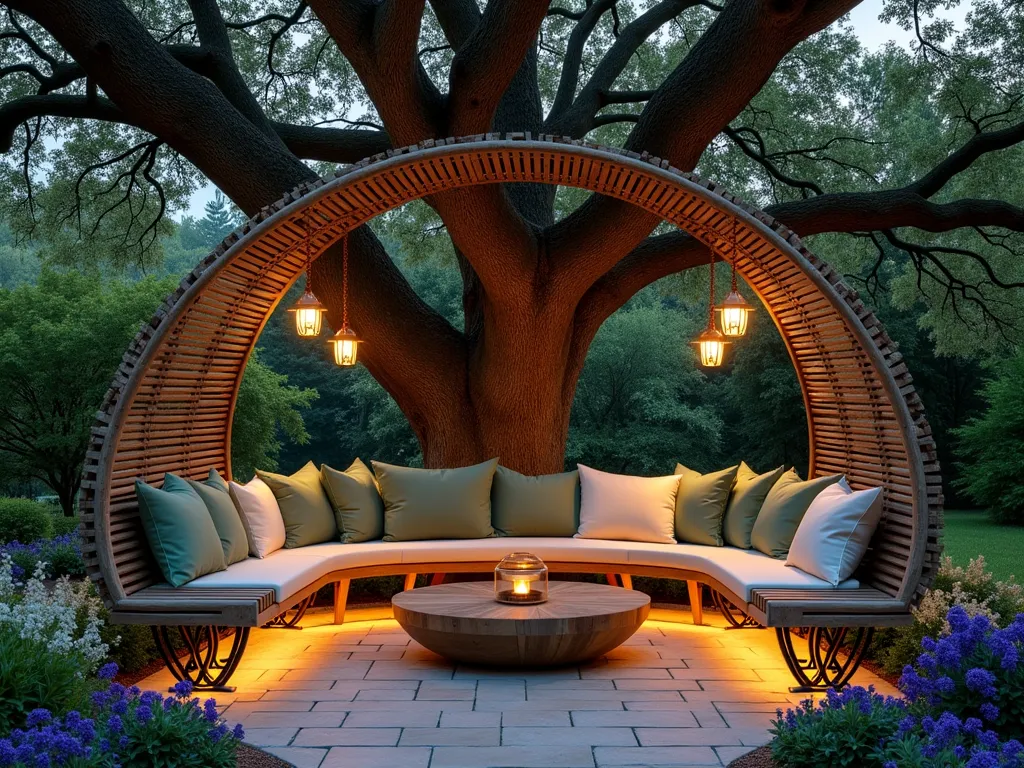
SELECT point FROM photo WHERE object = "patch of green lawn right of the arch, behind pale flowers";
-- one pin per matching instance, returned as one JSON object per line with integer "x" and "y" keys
{"x": 970, "y": 534}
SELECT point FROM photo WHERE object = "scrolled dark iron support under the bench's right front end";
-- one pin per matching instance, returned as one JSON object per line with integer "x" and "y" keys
{"x": 823, "y": 668}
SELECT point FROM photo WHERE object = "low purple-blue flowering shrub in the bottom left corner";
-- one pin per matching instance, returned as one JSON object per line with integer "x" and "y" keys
{"x": 126, "y": 728}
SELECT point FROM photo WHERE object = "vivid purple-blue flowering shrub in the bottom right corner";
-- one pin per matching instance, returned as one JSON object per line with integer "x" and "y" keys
{"x": 964, "y": 708}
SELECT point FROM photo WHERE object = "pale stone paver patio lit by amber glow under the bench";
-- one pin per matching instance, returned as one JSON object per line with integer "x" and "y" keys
{"x": 364, "y": 695}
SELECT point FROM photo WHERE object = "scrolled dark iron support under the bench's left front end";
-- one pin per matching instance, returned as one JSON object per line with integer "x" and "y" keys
{"x": 203, "y": 664}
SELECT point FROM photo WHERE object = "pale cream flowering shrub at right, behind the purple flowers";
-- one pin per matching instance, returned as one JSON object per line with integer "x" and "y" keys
{"x": 973, "y": 589}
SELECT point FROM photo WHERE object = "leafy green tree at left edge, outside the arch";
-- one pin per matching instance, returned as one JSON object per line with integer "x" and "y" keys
{"x": 61, "y": 342}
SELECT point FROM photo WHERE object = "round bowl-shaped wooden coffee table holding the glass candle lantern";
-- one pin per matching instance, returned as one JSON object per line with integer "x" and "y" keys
{"x": 579, "y": 622}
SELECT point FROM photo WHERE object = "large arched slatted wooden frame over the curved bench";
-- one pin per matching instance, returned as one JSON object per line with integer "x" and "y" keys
{"x": 170, "y": 406}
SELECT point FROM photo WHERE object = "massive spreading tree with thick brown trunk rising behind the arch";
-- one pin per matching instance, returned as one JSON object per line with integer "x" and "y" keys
{"x": 115, "y": 110}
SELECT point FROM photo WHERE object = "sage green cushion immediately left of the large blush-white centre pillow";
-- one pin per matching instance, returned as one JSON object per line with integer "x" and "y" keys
{"x": 545, "y": 505}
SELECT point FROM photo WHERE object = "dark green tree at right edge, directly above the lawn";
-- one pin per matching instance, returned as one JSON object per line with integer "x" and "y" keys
{"x": 993, "y": 446}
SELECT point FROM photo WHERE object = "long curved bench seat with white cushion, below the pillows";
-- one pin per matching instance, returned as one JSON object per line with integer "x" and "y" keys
{"x": 288, "y": 572}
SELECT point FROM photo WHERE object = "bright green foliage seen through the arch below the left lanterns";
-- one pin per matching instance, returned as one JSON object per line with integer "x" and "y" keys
{"x": 268, "y": 409}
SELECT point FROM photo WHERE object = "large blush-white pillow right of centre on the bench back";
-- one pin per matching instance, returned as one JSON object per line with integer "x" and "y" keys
{"x": 627, "y": 508}
